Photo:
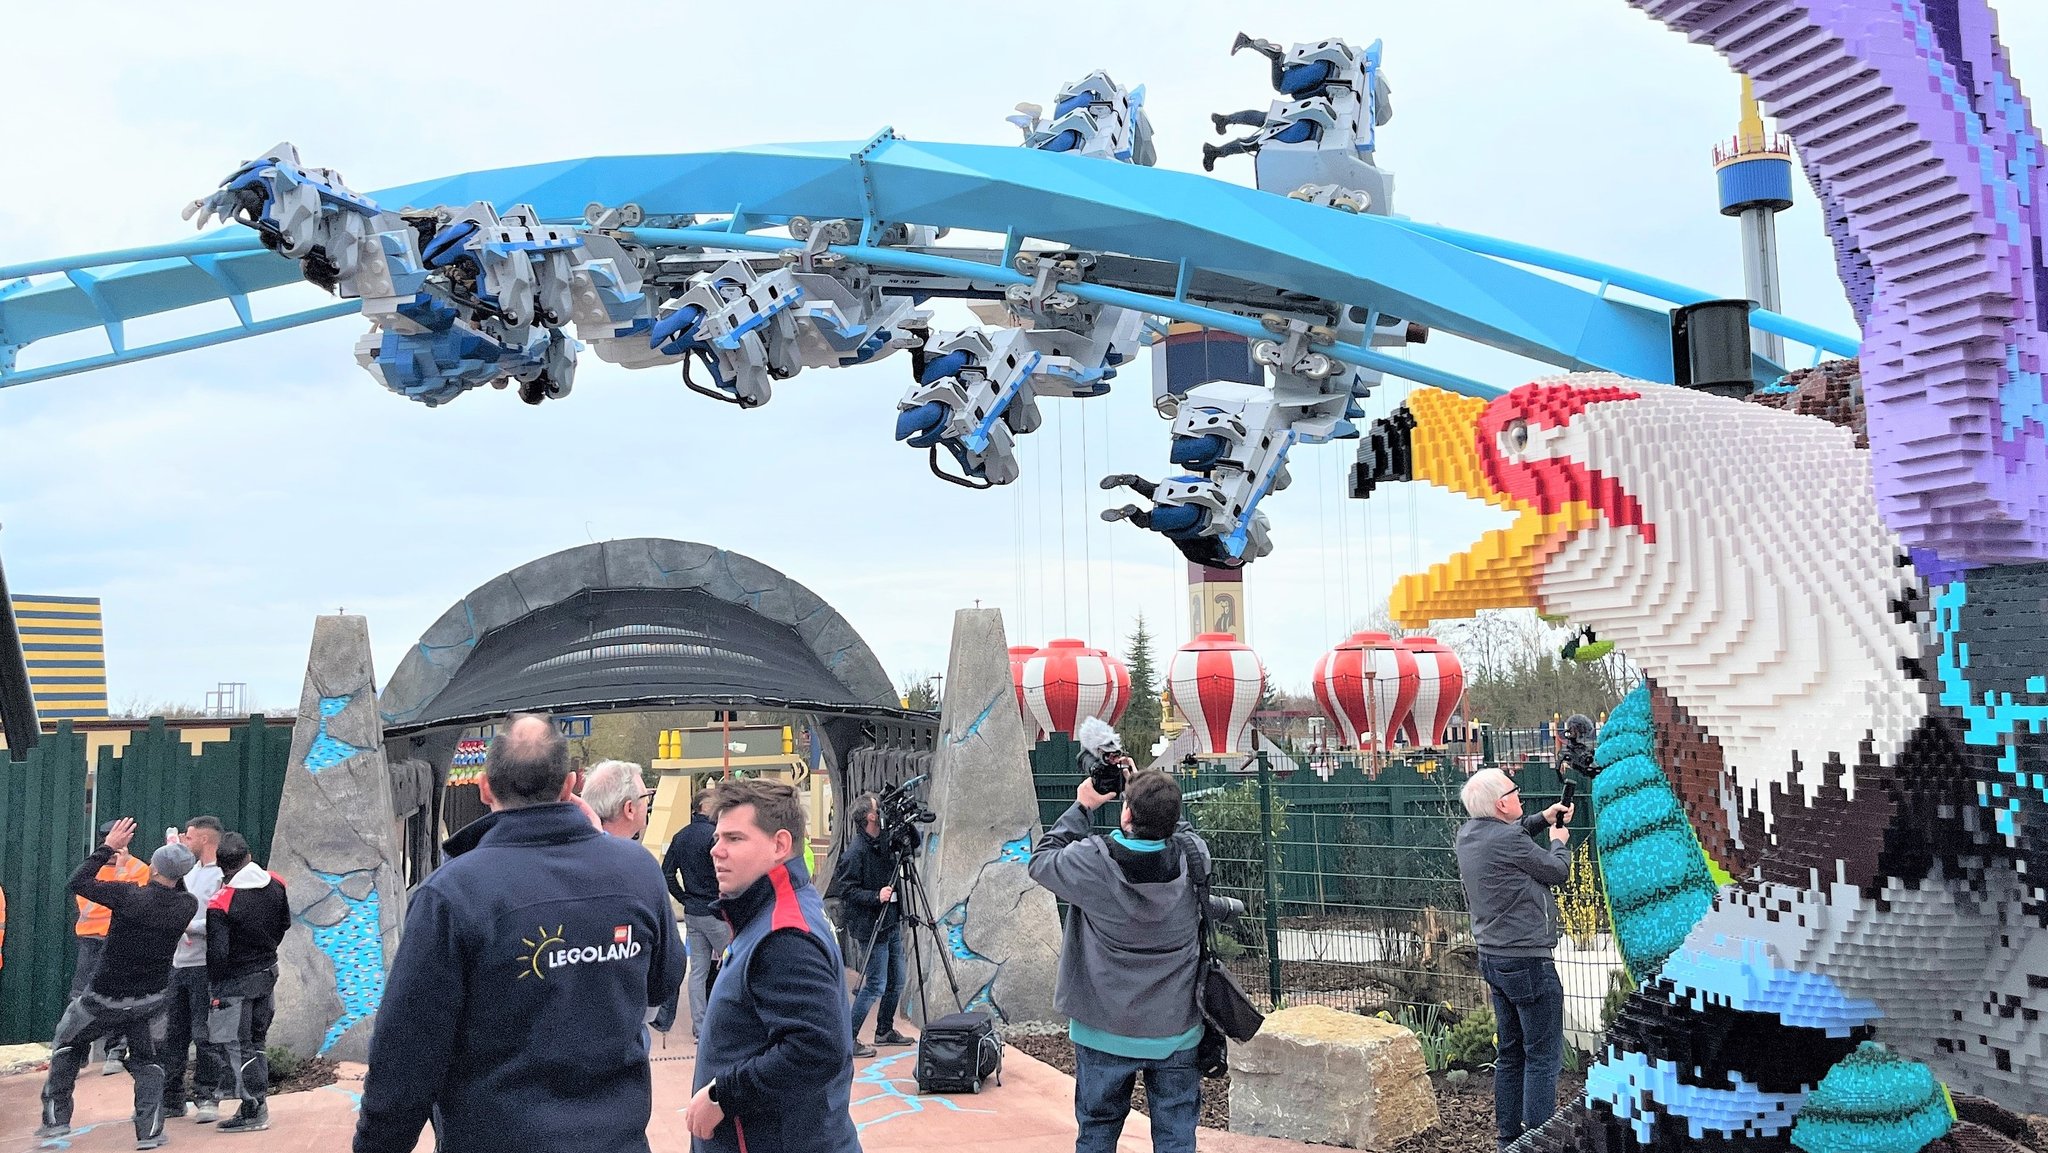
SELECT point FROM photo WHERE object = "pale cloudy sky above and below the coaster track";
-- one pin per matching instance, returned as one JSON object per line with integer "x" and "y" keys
{"x": 220, "y": 501}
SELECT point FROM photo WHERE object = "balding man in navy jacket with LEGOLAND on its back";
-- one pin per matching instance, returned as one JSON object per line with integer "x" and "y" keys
{"x": 517, "y": 1002}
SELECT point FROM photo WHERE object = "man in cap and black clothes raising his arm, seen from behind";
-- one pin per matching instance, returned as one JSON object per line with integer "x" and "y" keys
{"x": 132, "y": 990}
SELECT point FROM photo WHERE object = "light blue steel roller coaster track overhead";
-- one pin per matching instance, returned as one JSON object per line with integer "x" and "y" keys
{"x": 1453, "y": 282}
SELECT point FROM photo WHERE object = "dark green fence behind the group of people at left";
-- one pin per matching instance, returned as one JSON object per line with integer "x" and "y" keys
{"x": 48, "y": 830}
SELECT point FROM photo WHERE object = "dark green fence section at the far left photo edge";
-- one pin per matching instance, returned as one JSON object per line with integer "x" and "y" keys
{"x": 46, "y": 835}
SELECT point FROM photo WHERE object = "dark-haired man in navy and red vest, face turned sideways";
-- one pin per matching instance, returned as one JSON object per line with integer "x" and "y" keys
{"x": 775, "y": 1062}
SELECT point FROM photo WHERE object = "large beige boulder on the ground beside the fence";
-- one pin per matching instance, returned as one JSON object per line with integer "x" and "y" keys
{"x": 1334, "y": 1078}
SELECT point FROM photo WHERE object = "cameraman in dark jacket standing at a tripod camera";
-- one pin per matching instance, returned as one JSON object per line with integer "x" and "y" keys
{"x": 865, "y": 884}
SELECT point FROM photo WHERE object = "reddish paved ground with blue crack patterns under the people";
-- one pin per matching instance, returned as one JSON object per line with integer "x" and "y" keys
{"x": 1031, "y": 1111}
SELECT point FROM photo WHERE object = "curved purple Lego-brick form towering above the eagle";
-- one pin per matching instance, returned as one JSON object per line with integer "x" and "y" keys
{"x": 1930, "y": 173}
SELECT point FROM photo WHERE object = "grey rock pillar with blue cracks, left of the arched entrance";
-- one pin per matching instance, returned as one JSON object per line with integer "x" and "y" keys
{"x": 337, "y": 853}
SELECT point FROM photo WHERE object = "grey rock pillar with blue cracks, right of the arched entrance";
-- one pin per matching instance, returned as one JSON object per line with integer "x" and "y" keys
{"x": 1002, "y": 931}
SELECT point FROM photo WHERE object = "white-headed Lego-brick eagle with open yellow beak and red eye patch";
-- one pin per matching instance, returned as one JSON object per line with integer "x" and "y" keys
{"x": 1852, "y": 742}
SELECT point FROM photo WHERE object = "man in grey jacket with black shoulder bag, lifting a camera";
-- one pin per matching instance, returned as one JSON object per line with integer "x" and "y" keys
{"x": 1129, "y": 959}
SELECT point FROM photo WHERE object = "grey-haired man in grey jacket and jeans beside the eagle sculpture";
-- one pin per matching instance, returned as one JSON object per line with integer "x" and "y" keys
{"x": 1508, "y": 886}
